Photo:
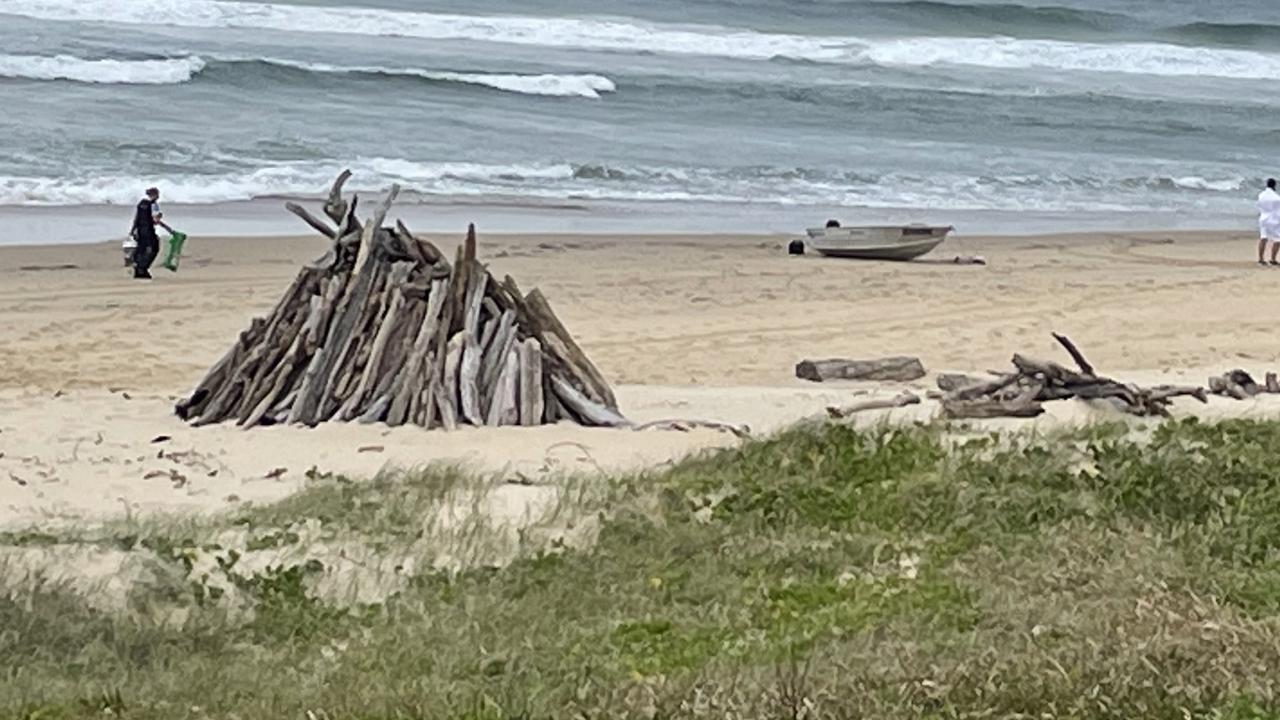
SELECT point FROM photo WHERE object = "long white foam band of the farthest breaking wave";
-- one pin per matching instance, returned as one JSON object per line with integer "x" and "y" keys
{"x": 1133, "y": 58}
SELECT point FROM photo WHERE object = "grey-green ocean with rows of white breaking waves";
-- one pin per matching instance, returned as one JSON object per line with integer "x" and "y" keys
{"x": 765, "y": 115}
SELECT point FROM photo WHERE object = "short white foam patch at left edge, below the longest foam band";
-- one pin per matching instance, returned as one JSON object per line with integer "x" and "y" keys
{"x": 108, "y": 72}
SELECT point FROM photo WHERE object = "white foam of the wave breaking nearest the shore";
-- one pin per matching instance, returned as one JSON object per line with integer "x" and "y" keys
{"x": 561, "y": 183}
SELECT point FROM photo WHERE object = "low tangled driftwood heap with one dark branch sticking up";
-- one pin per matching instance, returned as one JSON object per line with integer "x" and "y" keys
{"x": 1035, "y": 382}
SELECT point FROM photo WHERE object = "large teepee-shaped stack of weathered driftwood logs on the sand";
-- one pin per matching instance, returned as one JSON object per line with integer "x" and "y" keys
{"x": 385, "y": 329}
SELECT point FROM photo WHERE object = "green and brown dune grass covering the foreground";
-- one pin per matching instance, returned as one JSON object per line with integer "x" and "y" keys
{"x": 825, "y": 573}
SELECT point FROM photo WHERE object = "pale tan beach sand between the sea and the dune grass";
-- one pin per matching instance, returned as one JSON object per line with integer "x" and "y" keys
{"x": 688, "y": 327}
